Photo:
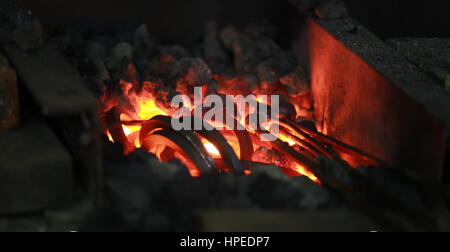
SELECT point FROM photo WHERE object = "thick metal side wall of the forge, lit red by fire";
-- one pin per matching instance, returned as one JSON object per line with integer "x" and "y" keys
{"x": 368, "y": 95}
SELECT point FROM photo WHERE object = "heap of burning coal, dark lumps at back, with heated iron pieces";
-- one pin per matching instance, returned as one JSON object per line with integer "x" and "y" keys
{"x": 215, "y": 117}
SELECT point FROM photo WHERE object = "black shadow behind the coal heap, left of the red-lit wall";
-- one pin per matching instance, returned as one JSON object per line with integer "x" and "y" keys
{"x": 171, "y": 20}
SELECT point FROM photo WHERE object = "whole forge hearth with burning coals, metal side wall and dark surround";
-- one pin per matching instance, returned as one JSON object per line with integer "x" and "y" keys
{"x": 359, "y": 125}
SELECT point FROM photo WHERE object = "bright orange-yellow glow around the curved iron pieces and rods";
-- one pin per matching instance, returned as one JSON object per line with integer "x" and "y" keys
{"x": 137, "y": 118}
